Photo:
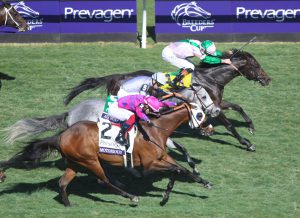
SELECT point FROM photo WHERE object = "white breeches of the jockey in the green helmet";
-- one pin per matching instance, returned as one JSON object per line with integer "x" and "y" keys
{"x": 169, "y": 56}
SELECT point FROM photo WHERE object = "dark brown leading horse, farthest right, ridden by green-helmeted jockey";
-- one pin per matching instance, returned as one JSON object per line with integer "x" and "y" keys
{"x": 214, "y": 79}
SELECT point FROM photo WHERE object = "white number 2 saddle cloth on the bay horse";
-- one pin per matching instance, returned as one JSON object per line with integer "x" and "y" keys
{"x": 109, "y": 128}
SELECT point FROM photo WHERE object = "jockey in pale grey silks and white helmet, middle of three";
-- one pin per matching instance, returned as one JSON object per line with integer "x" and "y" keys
{"x": 142, "y": 84}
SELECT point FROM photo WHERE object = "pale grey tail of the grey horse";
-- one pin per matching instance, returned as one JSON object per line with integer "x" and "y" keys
{"x": 33, "y": 126}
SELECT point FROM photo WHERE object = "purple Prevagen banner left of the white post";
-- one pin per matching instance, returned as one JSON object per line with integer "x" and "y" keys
{"x": 73, "y": 16}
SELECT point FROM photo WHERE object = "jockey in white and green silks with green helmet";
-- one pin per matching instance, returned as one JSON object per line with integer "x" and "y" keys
{"x": 177, "y": 53}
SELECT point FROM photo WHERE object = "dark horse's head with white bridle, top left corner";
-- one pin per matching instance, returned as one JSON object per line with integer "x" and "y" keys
{"x": 11, "y": 18}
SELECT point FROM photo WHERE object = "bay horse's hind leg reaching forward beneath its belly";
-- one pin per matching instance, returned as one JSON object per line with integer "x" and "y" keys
{"x": 95, "y": 167}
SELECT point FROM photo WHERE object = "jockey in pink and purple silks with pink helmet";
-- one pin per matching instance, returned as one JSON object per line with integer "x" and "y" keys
{"x": 131, "y": 106}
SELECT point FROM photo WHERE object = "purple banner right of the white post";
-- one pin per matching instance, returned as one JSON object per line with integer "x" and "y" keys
{"x": 209, "y": 16}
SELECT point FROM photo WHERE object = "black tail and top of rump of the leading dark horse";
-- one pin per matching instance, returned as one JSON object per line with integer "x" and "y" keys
{"x": 94, "y": 83}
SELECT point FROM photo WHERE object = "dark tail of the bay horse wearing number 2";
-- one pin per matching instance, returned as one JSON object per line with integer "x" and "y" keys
{"x": 33, "y": 152}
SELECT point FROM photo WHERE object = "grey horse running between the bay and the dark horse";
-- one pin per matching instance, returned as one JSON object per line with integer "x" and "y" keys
{"x": 92, "y": 109}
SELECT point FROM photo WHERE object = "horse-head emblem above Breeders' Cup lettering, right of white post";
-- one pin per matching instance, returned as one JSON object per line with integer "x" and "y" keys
{"x": 188, "y": 9}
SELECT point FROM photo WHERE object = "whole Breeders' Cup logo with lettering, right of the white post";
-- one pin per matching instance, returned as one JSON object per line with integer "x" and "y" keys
{"x": 190, "y": 15}
